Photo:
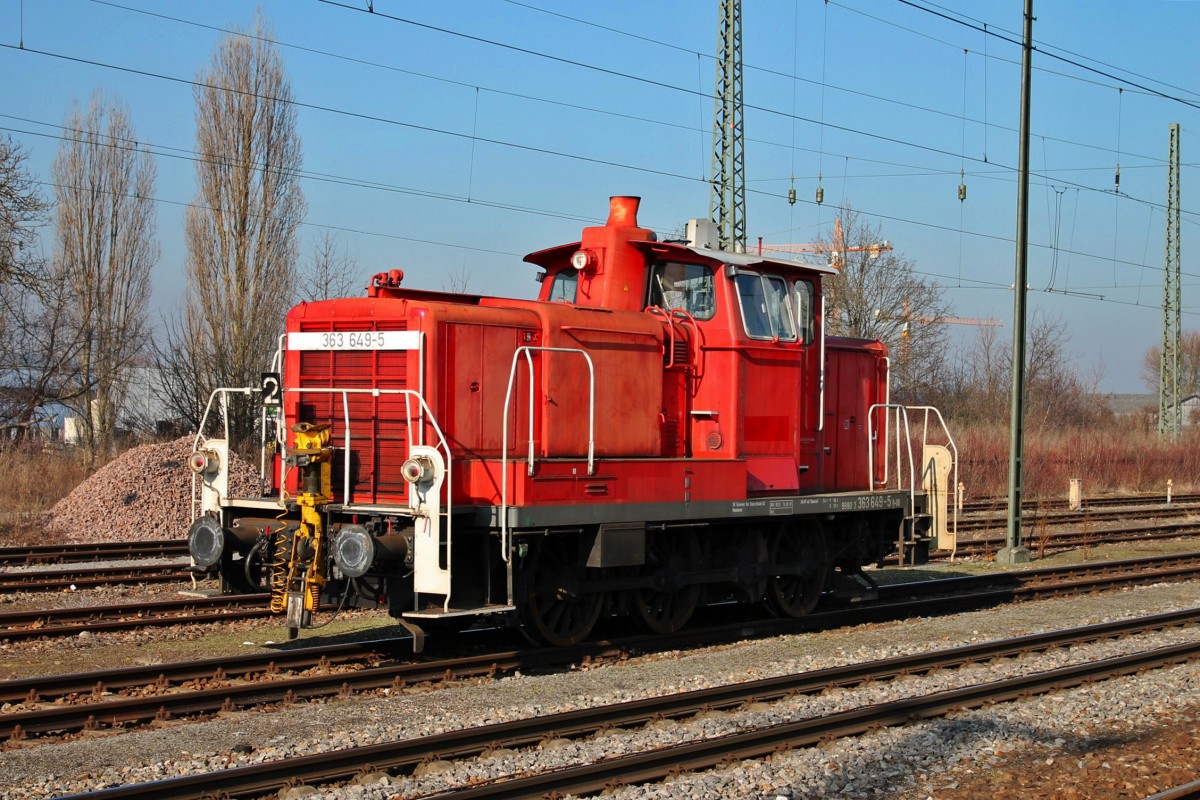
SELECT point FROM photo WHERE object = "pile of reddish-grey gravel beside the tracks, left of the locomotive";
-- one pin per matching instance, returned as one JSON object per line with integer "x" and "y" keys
{"x": 143, "y": 495}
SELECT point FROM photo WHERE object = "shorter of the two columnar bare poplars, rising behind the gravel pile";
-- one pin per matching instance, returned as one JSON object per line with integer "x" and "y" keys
{"x": 107, "y": 246}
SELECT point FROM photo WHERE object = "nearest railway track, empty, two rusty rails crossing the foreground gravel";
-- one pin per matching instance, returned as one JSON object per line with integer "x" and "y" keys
{"x": 754, "y": 743}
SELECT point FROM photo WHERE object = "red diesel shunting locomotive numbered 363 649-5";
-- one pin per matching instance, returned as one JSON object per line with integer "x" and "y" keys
{"x": 667, "y": 426}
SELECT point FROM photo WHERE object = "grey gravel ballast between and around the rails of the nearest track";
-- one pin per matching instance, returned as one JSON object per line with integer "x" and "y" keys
{"x": 1004, "y": 747}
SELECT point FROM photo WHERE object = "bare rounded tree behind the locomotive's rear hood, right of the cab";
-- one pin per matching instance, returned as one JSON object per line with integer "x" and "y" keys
{"x": 878, "y": 294}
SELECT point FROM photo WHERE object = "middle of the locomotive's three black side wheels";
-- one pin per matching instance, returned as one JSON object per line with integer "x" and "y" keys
{"x": 667, "y": 606}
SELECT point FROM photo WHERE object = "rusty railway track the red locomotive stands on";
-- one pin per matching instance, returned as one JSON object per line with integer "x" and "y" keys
{"x": 117, "y": 699}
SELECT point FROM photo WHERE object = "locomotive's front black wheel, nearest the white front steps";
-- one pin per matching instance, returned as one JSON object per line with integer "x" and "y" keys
{"x": 553, "y": 609}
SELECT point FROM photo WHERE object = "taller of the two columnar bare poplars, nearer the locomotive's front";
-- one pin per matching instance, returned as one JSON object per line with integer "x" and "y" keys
{"x": 242, "y": 232}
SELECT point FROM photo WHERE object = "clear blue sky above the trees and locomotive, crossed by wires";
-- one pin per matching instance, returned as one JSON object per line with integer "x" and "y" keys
{"x": 451, "y": 137}
